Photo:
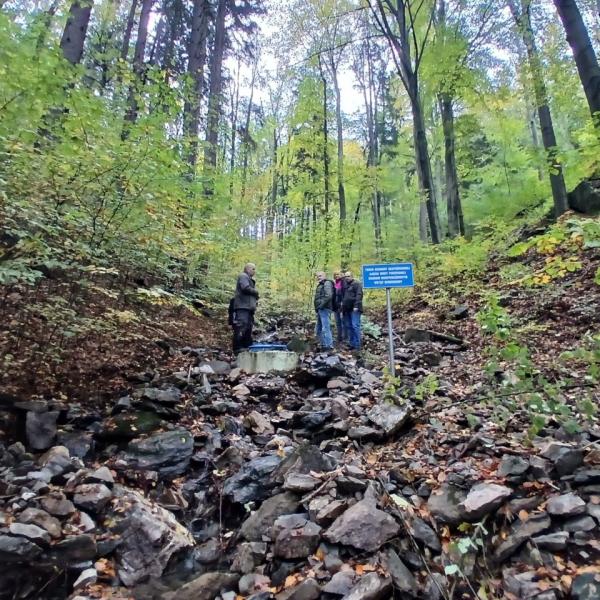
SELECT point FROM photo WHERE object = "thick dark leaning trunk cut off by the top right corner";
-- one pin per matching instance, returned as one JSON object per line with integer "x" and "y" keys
{"x": 583, "y": 51}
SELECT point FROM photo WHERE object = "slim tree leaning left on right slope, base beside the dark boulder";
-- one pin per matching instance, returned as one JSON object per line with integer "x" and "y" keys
{"x": 522, "y": 16}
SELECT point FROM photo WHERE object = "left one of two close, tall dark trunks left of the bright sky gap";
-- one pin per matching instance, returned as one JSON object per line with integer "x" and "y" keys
{"x": 196, "y": 62}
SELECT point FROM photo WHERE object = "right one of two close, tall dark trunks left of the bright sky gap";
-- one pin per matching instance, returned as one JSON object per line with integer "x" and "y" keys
{"x": 214, "y": 99}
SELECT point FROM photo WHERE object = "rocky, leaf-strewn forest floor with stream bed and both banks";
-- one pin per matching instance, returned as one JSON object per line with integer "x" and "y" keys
{"x": 137, "y": 461}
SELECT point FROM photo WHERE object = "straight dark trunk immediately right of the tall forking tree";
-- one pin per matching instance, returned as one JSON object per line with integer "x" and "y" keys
{"x": 456, "y": 224}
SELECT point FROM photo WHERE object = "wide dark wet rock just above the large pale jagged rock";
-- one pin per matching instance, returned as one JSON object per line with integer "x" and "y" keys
{"x": 167, "y": 453}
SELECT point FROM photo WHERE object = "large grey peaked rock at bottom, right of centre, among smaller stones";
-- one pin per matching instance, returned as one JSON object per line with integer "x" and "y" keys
{"x": 363, "y": 526}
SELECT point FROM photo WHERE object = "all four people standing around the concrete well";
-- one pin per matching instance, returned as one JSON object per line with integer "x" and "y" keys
{"x": 341, "y": 296}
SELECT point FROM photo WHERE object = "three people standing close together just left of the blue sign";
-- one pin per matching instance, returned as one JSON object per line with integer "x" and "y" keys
{"x": 343, "y": 298}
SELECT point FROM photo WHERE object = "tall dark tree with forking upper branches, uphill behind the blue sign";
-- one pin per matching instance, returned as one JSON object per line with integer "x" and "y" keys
{"x": 397, "y": 21}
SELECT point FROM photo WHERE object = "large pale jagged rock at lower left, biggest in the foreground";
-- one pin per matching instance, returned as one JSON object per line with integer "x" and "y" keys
{"x": 150, "y": 536}
